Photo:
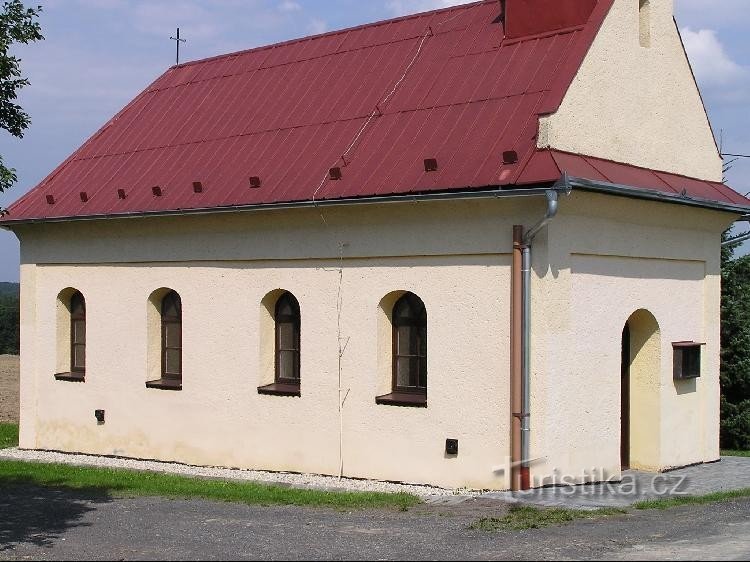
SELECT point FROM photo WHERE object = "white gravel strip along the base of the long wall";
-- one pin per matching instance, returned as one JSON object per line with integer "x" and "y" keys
{"x": 286, "y": 479}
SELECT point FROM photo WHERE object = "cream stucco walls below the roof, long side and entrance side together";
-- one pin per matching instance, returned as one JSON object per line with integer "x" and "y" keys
{"x": 600, "y": 261}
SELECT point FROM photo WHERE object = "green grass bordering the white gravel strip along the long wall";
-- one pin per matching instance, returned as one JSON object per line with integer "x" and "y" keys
{"x": 129, "y": 483}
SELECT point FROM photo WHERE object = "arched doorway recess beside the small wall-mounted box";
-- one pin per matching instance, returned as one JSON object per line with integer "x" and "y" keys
{"x": 640, "y": 394}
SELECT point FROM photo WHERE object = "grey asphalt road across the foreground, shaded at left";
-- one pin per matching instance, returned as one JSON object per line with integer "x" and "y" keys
{"x": 44, "y": 524}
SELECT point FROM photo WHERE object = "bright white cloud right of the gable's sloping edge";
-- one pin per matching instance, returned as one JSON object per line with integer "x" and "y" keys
{"x": 711, "y": 63}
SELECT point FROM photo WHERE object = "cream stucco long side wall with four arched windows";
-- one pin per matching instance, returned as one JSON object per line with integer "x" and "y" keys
{"x": 223, "y": 268}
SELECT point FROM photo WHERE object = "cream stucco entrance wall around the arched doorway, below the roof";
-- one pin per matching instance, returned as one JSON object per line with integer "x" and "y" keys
{"x": 600, "y": 261}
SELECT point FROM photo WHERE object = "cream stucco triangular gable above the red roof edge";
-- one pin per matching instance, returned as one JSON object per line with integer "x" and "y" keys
{"x": 634, "y": 104}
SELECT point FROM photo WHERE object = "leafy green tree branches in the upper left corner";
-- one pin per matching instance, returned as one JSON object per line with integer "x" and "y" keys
{"x": 18, "y": 24}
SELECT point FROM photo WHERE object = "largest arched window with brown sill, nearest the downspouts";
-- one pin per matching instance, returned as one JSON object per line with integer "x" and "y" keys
{"x": 409, "y": 386}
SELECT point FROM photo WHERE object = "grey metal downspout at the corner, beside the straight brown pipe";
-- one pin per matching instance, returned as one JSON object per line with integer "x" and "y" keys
{"x": 525, "y": 414}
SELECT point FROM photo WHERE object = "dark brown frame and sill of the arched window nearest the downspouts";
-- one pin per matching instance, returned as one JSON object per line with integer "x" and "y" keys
{"x": 415, "y": 396}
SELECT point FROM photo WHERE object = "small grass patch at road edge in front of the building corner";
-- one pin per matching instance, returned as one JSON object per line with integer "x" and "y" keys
{"x": 521, "y": 518}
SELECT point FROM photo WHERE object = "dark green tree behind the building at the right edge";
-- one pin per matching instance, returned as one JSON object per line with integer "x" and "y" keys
{"x": 735, "y": 354}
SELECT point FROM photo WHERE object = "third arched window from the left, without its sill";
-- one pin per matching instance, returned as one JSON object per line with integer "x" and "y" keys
{"x": 287, "y": 341}
